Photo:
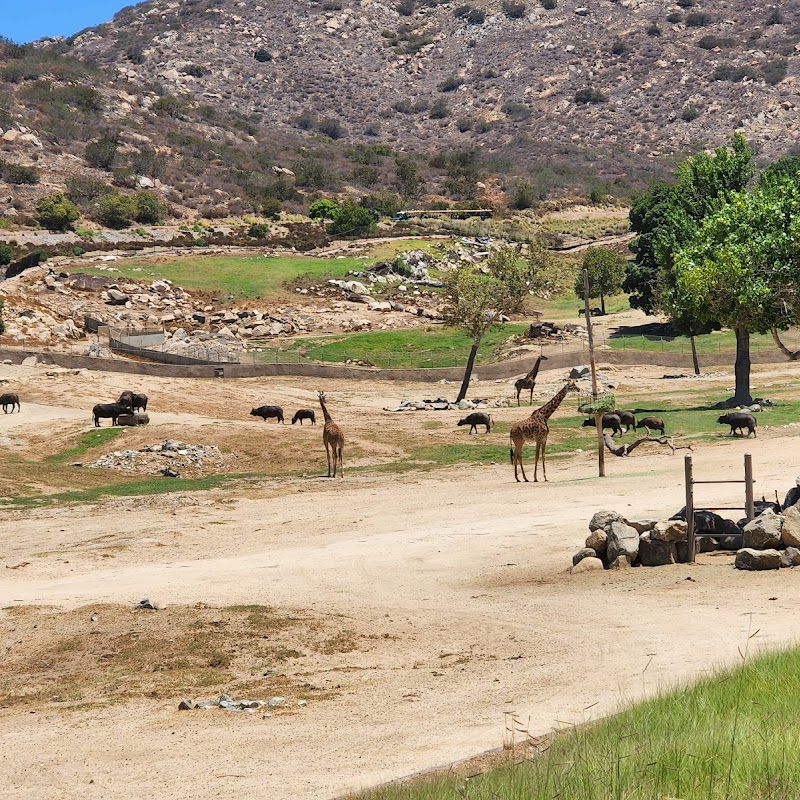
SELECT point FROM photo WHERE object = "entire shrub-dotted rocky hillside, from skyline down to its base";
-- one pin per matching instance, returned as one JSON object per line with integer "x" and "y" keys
{"x": 223, "y": 107}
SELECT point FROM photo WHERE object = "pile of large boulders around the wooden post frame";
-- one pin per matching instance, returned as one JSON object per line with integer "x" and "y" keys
{"x": 769, "y": 541}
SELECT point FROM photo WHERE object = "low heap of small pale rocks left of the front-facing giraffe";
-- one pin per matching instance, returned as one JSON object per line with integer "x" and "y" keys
{"x": 166, "y": 458}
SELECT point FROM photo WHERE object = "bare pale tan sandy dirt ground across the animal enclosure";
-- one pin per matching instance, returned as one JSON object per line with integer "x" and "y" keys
{"x": 461, "y": 574}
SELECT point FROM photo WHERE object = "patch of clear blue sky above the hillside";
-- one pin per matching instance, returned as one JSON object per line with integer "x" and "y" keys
{"x": 26, "y": 20}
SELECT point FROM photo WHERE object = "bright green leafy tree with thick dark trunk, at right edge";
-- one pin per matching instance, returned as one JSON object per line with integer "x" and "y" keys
{"x": 741, "y": 269}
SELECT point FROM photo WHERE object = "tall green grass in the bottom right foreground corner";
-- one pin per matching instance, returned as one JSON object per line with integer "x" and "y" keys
{"x": 733, "y": 735}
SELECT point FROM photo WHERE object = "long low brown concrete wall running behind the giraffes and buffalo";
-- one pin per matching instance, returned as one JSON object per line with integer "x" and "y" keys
{"x": 507, "y": 369}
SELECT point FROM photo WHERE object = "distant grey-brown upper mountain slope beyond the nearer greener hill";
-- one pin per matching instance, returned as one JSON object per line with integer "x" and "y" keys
{"x": 601, "y": 83}
